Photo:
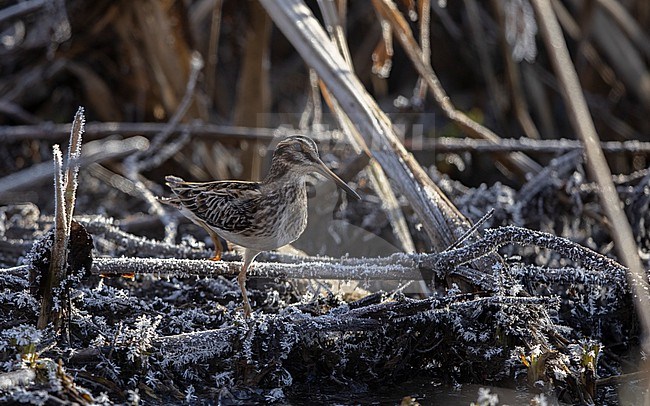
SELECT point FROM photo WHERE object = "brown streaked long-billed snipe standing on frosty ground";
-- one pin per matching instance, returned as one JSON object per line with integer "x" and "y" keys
{"x": 258, "y": 216}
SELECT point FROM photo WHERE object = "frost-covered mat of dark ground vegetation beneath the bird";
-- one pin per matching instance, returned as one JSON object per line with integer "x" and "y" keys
{"x": 176, "y": 333}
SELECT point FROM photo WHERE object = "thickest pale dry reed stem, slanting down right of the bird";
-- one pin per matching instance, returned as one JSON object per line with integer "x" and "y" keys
{"x": 440, "y": 219}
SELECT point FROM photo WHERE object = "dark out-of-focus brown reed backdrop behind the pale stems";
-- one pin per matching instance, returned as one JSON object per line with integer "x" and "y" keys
{"x": 130, "y": 62}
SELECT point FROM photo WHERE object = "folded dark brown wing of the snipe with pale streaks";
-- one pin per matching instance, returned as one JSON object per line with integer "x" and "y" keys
{"x": 226, "y": 205}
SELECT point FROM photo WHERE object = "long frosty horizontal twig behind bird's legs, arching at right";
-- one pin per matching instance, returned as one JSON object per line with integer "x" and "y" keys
{"x": 395, "y": 267}
